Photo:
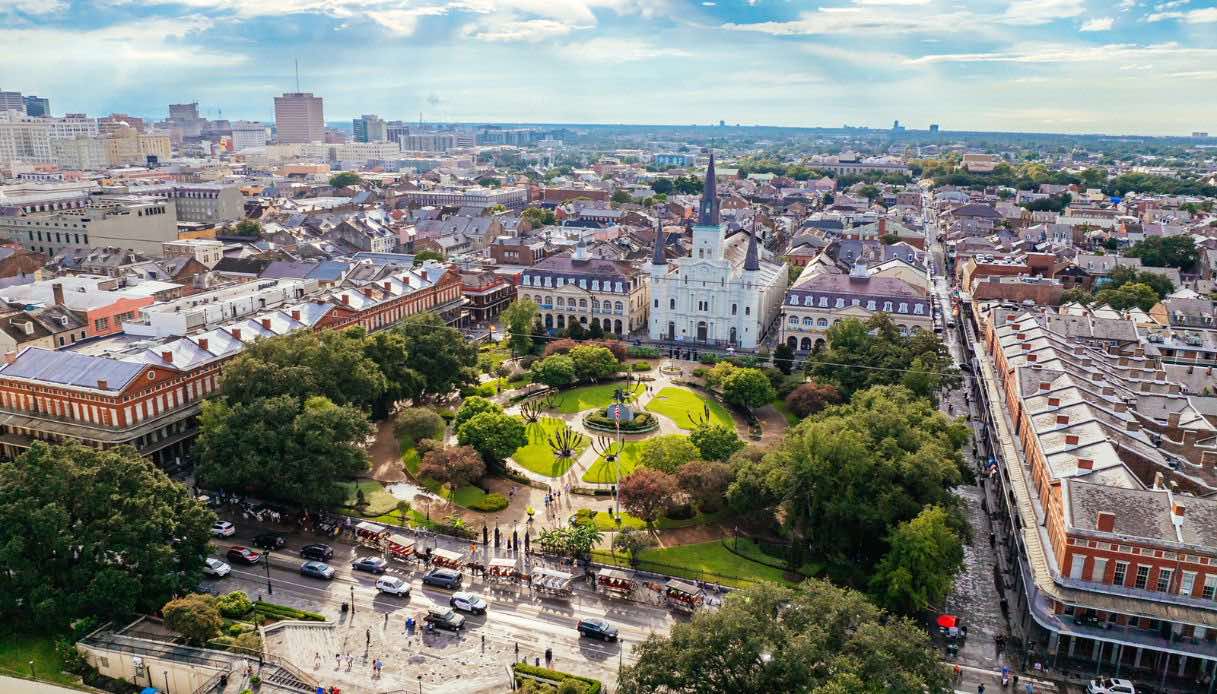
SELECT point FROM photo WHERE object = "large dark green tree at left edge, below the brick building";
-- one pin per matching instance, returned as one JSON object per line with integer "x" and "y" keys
{"x": 103, "y": 534}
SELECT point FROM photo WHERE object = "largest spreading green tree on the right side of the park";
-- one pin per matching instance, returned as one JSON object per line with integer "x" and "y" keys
{"x": 843, "y": 480}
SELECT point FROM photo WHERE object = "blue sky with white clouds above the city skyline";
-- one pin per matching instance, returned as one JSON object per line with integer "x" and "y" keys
{"x": 1114, "y": 66}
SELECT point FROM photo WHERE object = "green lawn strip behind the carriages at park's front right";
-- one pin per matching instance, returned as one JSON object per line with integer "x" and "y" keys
{"x": 689, "y": 561}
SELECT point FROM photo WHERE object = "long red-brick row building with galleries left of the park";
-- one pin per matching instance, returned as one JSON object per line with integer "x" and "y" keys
{"x": 152, "y": 398}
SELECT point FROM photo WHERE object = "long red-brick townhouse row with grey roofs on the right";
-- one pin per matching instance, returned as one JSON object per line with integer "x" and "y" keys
{"x": 1109, "y": 475}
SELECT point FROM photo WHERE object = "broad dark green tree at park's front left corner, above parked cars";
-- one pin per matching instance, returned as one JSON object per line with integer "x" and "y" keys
{"x": 283, "y": 447}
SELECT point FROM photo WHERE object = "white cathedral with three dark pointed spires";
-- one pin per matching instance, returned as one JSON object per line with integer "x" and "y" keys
{"x": 726, "y": 293}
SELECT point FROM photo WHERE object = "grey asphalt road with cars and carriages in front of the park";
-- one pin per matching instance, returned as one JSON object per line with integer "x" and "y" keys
{"x": 513, "y": 618}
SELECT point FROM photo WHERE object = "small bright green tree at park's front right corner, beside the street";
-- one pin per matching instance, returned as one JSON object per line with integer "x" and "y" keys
{"x": 919, "y": 570}
